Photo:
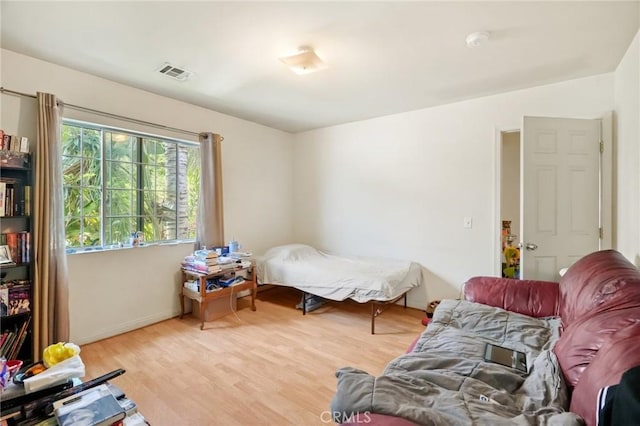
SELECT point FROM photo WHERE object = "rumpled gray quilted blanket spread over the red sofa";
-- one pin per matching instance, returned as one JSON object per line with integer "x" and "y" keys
{"x": 445, "y": 380}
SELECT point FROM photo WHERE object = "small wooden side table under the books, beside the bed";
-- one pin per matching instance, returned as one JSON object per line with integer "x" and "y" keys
{"x": 203, "y": 296}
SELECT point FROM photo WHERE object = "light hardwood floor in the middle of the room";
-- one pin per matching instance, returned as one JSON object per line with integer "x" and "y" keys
{"x": 269, "y": 367}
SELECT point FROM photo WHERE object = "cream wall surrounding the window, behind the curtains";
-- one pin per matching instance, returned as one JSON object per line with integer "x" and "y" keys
{"x": 113, "y": 292}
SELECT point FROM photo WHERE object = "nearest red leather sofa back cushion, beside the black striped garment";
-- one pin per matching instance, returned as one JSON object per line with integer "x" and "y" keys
{"x": 606, "y": 369}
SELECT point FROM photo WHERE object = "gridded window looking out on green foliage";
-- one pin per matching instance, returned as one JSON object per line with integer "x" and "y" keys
{"x": 117, "y": 182}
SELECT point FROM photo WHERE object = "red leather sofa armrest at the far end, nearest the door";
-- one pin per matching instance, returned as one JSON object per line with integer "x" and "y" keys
{"x": 529, "y": 297}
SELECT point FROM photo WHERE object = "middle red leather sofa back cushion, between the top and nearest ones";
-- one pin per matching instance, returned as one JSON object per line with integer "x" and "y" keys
{"x": 581, "y": 342}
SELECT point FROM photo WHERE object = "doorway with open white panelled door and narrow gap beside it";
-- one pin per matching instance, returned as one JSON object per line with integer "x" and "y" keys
{"x": 554, "y": 184}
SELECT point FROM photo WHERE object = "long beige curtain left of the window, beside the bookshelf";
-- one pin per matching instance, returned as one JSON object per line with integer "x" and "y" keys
{"x": 51, "y": 290}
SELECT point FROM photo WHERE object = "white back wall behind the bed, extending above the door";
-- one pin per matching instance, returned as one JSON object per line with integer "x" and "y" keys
{"x": 400, "y": 185}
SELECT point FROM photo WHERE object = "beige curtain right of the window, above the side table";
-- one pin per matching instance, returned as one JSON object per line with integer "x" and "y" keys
{"x": 210, "y": 227}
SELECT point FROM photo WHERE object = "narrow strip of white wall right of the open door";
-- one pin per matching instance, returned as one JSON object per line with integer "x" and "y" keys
{"x": 627, "y": 156}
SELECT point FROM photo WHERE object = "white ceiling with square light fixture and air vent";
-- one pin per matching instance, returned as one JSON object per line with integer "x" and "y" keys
{"x": 383, "y": 57}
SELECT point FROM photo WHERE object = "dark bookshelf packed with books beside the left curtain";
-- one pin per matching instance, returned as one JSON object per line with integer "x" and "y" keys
{"x": 16, "y": 255}
